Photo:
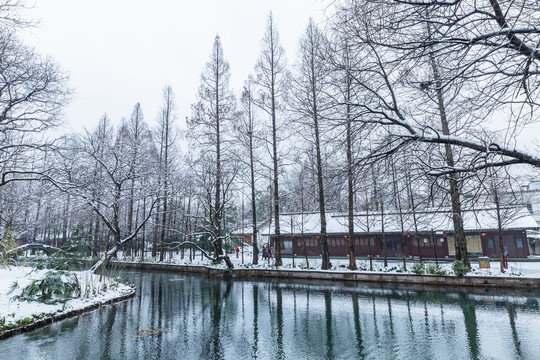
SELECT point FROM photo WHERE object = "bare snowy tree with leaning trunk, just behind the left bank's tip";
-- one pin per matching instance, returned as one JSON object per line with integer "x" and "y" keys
{"x": 109, "y": 153}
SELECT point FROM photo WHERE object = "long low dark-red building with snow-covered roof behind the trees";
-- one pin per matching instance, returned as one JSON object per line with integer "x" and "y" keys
{"x": 431, "y": 236}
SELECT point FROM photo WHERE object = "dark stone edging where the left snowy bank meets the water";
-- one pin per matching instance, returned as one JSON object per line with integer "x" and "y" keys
{"x": 61, "y": 316}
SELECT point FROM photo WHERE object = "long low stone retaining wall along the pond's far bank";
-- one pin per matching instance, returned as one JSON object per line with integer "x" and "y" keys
{"x": 473, "y": 281}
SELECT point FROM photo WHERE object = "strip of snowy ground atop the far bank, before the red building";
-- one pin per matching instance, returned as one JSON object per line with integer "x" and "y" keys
{"x": 522, "y": 269}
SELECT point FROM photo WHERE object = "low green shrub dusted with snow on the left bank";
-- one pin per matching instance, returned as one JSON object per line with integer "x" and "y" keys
{"x": 56, "y": 286}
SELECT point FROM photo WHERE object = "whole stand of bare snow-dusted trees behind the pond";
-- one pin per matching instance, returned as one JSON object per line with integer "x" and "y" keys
{"x": 387, "y": 106}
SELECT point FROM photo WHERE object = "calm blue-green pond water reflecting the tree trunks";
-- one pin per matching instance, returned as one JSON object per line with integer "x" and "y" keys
{"x": 206, "y": 318}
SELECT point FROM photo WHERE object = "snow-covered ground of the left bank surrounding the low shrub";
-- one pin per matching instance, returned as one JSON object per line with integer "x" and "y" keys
{"x": 15, "y": 278}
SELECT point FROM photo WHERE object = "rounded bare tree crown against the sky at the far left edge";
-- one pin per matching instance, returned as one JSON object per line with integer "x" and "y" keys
{"x": 32, "y": 94}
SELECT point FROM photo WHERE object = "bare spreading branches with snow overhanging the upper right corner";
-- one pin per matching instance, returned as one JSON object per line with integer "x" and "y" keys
{"x": 475, "y": 36}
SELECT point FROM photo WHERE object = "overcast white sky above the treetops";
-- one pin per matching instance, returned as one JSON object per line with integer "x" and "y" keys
{"x": 119, "y": 52}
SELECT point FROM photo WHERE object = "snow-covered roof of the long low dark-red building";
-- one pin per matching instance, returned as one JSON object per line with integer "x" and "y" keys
{"x": 438, "y": 220}
